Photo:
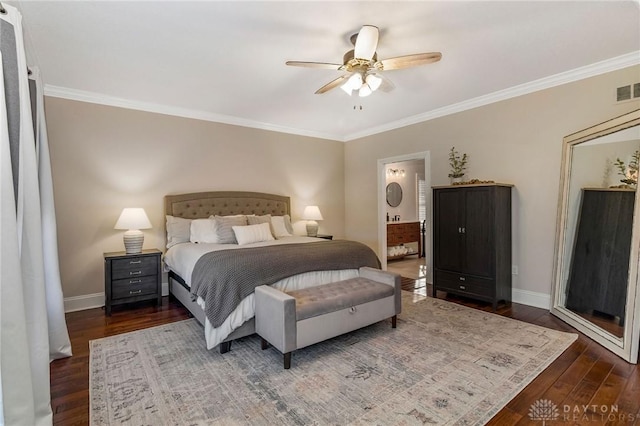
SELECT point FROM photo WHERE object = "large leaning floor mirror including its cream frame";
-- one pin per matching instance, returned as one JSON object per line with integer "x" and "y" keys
{"x": 597, "y": 247}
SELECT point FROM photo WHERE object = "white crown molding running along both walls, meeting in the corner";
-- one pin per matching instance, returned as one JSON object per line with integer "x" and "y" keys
{"x": 608, "y": 65}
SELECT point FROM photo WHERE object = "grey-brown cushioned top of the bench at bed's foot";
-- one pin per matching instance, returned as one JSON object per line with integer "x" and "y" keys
{"x": 314, "y": 301}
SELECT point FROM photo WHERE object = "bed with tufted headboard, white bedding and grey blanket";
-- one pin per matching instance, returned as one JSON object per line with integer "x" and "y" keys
{"x": 193, "y": 268}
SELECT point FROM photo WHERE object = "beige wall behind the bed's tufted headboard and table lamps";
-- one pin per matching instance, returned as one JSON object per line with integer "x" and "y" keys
{"x": 105, "y": 158}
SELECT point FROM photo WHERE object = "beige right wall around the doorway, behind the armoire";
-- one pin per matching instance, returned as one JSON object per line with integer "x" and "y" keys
{"x": 516, "y": 141}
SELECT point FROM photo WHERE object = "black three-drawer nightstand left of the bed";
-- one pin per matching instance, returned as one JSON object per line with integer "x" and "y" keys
{"x": 132, "y": 277}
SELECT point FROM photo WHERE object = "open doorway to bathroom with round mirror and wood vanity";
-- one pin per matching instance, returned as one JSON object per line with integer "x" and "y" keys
{"x": 412, "y": 174}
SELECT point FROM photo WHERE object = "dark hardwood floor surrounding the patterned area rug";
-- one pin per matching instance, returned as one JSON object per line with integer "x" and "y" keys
{"x": 587, "y": 380}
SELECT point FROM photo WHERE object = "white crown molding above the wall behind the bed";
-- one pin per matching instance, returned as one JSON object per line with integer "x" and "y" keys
{"x": 102, "y": 99}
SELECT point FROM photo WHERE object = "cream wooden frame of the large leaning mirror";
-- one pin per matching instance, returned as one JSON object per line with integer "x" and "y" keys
{"x": 627, "y": 346}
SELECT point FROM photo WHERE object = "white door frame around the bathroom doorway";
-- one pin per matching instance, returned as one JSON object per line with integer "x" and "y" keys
{"x": 382, "y": 204}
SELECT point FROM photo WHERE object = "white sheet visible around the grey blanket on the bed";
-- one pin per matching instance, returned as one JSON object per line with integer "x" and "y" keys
{"x": 182, "y": 258}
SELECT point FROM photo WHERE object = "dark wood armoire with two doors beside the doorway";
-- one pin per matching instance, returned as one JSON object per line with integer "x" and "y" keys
{"x": 472, "y": 241}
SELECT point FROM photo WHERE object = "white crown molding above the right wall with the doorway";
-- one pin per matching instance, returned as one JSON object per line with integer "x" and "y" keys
{"x": 602, "y": 67}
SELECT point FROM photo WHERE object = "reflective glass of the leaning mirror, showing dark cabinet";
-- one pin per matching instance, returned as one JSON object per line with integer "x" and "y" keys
{"x": 599, "y": 222}
